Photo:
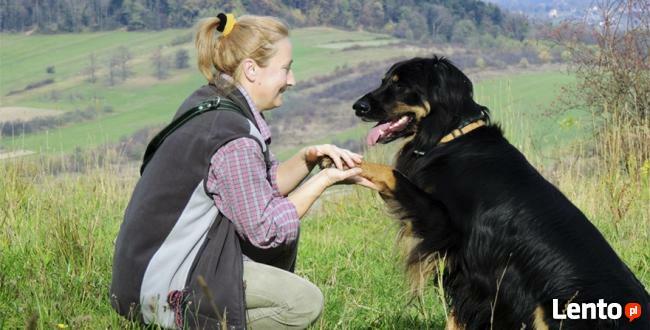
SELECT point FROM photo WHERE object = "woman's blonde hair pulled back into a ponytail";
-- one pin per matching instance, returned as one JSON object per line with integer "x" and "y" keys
{"x": 252, "y": 37}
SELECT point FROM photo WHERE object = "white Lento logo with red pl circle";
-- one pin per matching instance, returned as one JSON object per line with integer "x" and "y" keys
{"x": 592, "y": 311}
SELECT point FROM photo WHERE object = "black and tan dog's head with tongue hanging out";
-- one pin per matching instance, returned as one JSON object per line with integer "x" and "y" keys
{"x": 427, "y": 96}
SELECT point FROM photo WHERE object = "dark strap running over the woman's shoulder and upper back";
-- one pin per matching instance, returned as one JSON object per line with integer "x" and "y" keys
{"x": 218, "y": 103}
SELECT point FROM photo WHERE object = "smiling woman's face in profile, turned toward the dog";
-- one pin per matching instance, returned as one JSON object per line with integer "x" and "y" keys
{"x": 271, "y": 81}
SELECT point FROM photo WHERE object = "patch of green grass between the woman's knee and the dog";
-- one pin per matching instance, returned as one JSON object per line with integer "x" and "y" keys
{"x": 347, "y": 250}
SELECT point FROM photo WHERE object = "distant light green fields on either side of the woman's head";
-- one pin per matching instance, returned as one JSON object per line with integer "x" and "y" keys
{"x": 142, "y": 100}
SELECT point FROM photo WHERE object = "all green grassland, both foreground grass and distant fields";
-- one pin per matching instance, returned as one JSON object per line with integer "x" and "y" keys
{"x": 57, "y": 231}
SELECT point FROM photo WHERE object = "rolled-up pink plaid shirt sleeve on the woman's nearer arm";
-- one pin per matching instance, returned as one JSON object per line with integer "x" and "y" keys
{"x": 244, "y": 193}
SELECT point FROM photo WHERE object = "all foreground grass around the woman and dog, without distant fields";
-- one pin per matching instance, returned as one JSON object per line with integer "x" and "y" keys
{"x": 57, "y": 233}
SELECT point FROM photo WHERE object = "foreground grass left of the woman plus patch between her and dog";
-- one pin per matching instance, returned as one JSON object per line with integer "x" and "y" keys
{"x": 57, "y": 240}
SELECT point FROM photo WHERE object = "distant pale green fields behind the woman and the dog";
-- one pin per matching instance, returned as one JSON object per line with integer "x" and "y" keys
{"x": 143, "y": 101}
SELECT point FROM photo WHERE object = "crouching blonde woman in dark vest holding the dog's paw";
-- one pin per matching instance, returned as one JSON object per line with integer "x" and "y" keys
{"x": 210, "y": 234}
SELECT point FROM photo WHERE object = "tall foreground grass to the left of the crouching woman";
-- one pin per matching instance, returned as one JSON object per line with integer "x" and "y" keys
{"x": 56, "y": 247}
